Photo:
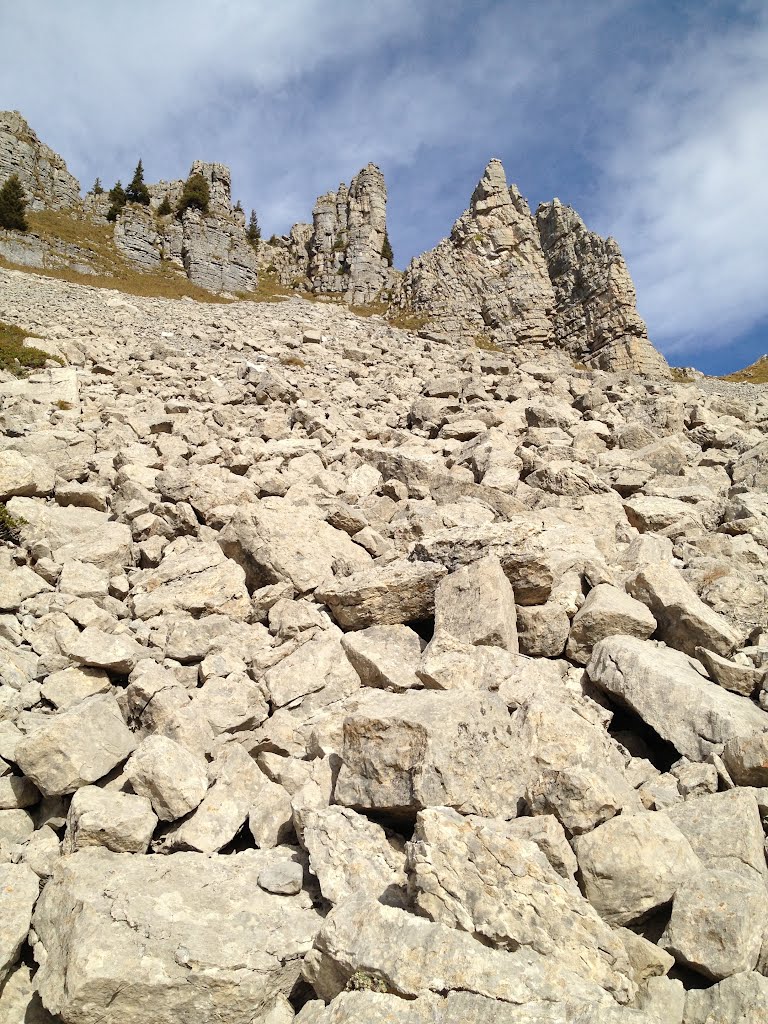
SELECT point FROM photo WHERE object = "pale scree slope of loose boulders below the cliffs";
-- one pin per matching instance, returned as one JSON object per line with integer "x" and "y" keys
{"x": 349, "y": 675}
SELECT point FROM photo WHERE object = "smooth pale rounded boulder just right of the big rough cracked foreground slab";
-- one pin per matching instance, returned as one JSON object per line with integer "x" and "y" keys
{"x": 633, "y": 865}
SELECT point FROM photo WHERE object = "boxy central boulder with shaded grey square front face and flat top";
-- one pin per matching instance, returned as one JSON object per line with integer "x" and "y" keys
{"x": 406, "y": 752}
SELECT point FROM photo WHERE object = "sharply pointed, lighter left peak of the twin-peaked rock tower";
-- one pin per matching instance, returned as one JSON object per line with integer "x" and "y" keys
{"x": 490, "y": 275}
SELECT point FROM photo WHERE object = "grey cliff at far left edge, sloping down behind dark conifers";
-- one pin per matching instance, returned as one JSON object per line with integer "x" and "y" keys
{"x": 44, "y": 174}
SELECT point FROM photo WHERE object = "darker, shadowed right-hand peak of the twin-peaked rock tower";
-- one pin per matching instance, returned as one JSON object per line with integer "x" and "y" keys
{"x": 596, "y": 318}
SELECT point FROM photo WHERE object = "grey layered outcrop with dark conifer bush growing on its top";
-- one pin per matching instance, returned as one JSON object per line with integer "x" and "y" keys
{"x": 211, "y": 248}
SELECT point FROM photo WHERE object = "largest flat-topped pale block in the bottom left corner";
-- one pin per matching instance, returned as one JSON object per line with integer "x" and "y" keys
{"x": 210, "y": 928}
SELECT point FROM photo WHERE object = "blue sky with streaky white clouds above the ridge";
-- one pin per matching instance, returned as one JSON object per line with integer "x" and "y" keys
{"x": 650, "y": 117}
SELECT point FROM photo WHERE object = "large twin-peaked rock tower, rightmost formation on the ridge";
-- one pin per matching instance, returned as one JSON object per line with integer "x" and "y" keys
{"x": 518, "y": 280}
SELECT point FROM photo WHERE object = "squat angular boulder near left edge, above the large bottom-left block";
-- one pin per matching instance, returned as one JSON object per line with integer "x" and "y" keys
{"x": 75, "y": 748}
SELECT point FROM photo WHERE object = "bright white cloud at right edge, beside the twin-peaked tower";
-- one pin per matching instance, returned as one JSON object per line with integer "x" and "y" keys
{"x": 687, "y": 190}
